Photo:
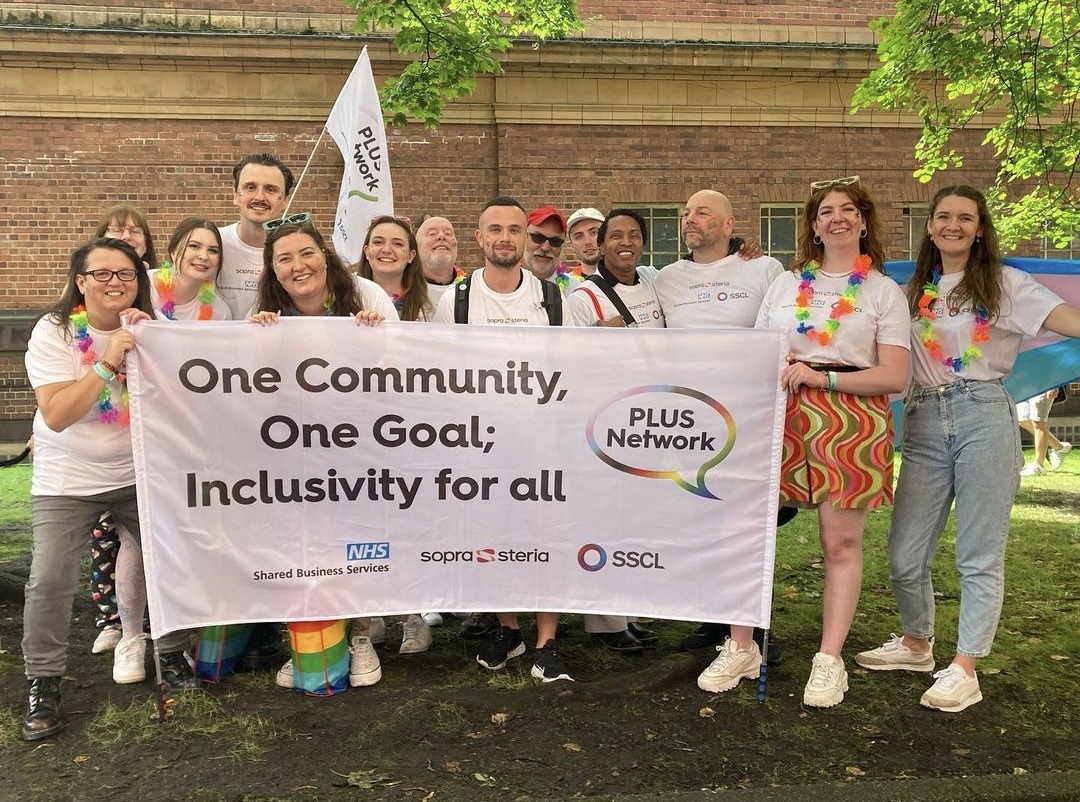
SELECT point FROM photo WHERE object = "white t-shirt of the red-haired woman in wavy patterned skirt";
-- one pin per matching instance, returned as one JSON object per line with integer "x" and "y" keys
{"x": 880, "y": 319}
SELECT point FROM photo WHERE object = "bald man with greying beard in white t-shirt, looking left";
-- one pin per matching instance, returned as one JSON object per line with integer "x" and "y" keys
{"x": 714, "y": 288}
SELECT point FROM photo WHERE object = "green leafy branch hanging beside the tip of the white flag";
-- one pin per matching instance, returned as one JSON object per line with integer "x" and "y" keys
{"x": 456, "y": 42}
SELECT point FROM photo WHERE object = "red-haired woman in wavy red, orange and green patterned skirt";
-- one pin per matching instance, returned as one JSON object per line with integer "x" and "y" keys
{"x": 849, "y": 350}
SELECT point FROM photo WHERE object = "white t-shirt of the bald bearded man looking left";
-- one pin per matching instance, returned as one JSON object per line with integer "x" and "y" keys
{"x": 727, "y": 293}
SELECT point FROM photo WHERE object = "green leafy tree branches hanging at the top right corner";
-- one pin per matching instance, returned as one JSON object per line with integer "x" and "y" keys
{"x": 1012, "y": 70}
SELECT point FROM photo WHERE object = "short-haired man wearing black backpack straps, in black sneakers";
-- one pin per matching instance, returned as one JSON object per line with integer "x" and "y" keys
{"x": 503, "y": 292}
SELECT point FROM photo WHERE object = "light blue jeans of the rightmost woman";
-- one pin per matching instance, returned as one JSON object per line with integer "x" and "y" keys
{"x": 961, "y": 443}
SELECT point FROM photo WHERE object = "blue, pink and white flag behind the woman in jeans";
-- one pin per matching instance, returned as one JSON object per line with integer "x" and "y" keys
{"x": 1046, "y": 362}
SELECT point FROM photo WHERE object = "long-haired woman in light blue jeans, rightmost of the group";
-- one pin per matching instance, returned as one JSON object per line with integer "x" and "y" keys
{"x": 961, "y": 443}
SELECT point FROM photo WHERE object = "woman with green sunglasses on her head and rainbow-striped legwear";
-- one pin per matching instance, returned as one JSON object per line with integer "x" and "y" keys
{"x": 302, "y": 277}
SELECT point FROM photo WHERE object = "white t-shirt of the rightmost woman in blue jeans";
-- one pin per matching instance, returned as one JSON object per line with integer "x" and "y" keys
{"x": 1025, "y": 305}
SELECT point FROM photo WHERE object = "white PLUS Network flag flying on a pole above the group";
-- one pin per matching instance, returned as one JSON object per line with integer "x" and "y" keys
{"x": 356, "y": 124}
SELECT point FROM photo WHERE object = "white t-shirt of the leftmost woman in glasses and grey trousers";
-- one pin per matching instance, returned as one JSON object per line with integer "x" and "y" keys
{"x": 89, "y": 457}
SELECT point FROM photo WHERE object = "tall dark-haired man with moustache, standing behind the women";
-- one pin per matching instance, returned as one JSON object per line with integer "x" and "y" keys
{"x": 261, "y": 188}
